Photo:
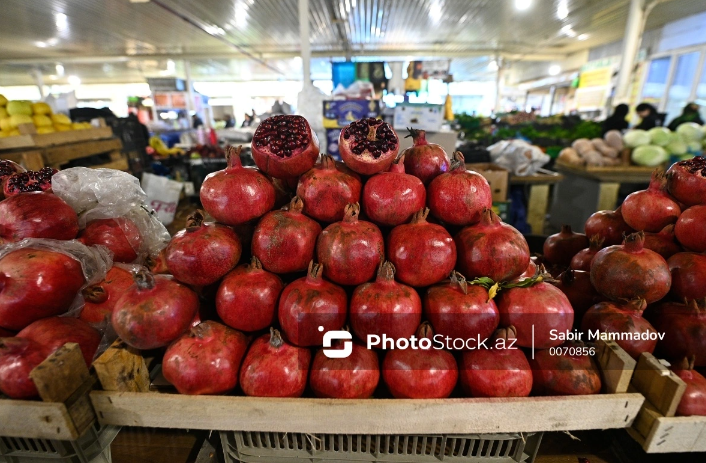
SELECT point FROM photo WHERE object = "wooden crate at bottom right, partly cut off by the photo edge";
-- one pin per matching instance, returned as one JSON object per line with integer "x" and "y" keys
{"x": 656, "y": 428}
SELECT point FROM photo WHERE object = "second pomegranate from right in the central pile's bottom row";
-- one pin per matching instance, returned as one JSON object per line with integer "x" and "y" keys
{"x": 502, "y": 370}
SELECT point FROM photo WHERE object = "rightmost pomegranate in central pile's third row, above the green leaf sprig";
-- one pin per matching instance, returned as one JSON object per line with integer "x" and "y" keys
{"x": 492, "y": 249}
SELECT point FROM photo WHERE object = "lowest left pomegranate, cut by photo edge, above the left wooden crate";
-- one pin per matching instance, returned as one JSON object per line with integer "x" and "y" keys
{"x": 18, "y": 357}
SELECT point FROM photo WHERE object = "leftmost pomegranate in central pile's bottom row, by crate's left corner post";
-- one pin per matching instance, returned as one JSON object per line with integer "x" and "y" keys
{"x": 206, "y": 360}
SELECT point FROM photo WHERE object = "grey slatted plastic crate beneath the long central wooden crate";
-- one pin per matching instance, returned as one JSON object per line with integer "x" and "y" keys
{"x": 277, "y": 447}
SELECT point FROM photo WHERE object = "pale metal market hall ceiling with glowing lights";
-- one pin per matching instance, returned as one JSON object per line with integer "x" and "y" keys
{"x": 124, "y": 40}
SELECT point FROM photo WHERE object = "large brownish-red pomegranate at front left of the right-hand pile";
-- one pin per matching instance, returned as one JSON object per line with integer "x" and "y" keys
{"x": 629, "y": 271}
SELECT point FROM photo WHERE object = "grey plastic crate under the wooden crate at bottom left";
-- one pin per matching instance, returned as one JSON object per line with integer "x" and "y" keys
{"x": 92, "y": 447}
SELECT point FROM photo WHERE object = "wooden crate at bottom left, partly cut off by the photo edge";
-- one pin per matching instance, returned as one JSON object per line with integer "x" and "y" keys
{"x": 65, "y": 412}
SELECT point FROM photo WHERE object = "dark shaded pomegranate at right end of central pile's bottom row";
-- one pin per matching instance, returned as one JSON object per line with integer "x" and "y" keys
{"x": 569, "y": 373}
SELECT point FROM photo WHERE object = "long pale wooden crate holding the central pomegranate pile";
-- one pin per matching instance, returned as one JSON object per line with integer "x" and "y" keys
{"x": 129, "y": 404}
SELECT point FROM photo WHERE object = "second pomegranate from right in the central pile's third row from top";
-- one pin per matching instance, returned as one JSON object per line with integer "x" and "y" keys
{"x": 423, "y": 253}
